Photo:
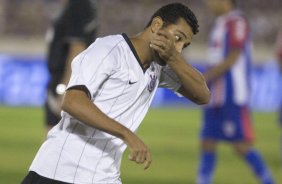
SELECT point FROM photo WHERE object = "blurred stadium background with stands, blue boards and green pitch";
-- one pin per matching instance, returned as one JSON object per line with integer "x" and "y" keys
{"x": 23, "y": 78}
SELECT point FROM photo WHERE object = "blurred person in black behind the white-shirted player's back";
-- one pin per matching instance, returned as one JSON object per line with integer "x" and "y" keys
{"x": 72, "y": 31}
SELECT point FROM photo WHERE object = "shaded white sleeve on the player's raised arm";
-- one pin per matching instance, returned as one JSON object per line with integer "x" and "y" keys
{"x": 169, "y": 80}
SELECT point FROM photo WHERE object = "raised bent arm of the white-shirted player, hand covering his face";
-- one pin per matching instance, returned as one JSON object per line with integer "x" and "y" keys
{"x": 193, "y": 83}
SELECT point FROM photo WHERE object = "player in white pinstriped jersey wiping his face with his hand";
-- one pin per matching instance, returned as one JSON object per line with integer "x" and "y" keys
{"x": 111, "y": 88}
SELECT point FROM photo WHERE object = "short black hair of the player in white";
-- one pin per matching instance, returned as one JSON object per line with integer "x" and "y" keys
{"x": 171, "y": 13}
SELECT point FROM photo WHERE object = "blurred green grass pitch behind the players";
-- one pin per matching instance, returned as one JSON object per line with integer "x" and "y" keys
{"x": 171, "y": 134}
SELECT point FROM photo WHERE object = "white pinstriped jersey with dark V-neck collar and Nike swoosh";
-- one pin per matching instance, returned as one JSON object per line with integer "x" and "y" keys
{"x": 111, "y": 70}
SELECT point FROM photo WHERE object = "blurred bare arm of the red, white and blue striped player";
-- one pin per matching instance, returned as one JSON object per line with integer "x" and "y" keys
{"x": 223, "y": 67}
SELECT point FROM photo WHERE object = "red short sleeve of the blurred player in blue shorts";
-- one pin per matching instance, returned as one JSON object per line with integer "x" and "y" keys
{"x": 237, "y": 32}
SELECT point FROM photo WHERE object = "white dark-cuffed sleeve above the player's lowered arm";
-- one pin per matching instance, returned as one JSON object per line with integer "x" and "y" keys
{"x": 93, "y": 67}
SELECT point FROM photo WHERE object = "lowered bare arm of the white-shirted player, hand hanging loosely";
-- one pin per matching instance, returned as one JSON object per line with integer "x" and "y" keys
{"x": 77, "y": 103}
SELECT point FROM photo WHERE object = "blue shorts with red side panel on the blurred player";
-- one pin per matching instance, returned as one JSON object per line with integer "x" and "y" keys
{"x": 227, "y": 123}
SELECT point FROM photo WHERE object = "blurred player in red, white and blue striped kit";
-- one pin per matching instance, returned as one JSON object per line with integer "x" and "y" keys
{"x": 227, "y": 117}
